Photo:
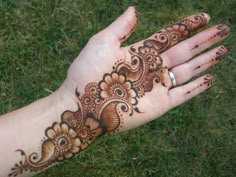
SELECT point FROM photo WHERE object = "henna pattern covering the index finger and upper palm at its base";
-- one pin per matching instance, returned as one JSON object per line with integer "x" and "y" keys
{"x": 146, "y": 65}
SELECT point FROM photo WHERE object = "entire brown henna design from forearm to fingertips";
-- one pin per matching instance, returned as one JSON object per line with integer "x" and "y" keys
{"x": 102, "y": 106}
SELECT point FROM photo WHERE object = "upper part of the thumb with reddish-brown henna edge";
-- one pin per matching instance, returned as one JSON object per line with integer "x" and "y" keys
{"x": 124, "y": 25}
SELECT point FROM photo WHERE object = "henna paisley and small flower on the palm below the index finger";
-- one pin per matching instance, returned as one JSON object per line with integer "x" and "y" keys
{"x": 145, "y": 67}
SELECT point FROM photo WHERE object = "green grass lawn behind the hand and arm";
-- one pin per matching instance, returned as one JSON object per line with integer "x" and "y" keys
{"x": 39, "y": 40}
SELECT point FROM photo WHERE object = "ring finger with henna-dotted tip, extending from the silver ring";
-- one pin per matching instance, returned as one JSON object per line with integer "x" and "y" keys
{"x": 186, "y": 71}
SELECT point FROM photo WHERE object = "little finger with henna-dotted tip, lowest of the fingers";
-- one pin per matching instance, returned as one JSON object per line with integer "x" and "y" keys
{"x": 184, "y": 93}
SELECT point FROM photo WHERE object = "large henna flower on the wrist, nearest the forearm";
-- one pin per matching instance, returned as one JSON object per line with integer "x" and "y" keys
{"x": 64, "y": 139}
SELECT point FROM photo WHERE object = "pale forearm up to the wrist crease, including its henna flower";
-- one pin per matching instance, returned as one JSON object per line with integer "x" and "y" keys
{"x": 52, "y": 124}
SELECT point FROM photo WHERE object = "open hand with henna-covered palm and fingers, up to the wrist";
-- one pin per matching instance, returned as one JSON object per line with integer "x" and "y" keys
{"x": 124, "y": 87}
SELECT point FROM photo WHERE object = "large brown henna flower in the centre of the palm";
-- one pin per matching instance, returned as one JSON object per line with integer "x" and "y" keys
{"x": 115, "y": 85}
